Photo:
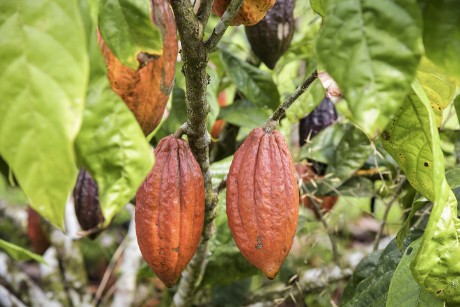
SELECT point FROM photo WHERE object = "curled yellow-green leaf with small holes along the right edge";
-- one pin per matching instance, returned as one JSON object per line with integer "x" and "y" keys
{"x": 413, "y": 141}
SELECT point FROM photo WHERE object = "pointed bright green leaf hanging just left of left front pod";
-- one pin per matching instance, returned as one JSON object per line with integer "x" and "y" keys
{"x": 111, "y": 145}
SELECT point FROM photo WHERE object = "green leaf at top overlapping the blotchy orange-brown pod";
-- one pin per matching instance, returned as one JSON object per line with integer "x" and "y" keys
{"x": 127, "y": 28}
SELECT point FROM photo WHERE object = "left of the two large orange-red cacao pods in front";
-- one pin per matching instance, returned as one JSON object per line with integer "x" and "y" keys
{"x": 170, "y": 210}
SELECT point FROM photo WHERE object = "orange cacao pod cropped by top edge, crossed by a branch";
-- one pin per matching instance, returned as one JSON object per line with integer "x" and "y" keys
{"x": 250, "y": 12}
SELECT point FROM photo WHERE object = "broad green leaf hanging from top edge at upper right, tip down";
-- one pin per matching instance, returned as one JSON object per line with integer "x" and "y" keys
{"x": 372, "y": 50}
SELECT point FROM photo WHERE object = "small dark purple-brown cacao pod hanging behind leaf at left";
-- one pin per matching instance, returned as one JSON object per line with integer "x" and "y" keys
{"x": 86, "y": 201}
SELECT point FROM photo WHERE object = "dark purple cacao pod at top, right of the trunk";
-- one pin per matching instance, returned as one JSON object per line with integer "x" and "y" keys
{"x": 271, "y": 37}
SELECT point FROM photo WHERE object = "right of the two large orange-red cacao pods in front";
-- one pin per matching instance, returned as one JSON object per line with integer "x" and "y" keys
{"x": 263, "y": 200}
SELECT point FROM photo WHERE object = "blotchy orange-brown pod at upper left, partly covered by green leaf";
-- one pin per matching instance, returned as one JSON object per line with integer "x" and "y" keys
{"x": 146, "y": 90}
